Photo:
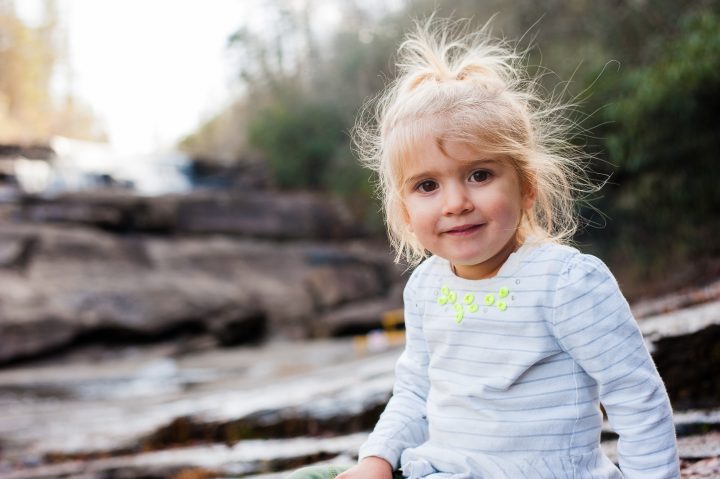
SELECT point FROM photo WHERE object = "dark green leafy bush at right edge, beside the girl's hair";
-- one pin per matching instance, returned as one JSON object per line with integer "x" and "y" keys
{"x": 663, "y": 136}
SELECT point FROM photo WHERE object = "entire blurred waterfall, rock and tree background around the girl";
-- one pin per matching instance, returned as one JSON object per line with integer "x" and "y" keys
{"x": 194, "y": 277}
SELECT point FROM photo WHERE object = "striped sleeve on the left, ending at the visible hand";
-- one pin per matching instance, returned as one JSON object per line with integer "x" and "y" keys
{"x": 403, "y": 424}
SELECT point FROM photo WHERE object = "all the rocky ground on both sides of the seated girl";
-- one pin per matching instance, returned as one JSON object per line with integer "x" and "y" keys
{"x": 209, "y": 335}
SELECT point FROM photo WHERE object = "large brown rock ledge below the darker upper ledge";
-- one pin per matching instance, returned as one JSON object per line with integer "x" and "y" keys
{"x": 62, "y": 283}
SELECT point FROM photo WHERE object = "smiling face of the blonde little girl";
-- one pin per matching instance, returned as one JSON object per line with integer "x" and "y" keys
{"x": 464, "y": 206}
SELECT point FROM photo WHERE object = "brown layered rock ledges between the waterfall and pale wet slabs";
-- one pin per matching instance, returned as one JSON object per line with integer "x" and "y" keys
{"x": 104, "y": 267}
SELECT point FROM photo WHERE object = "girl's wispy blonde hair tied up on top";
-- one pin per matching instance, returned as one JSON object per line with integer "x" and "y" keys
{"x": 472, "y": 88}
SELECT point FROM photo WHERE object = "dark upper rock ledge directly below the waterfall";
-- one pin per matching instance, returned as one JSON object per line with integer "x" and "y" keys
{"x": 254, "y": 214}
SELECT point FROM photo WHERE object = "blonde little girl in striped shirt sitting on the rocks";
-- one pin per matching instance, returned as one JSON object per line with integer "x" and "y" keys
{"x": 513, "y": 339}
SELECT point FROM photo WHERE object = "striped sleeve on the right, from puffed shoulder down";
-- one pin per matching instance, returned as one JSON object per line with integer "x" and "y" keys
{"x": 593, "y": 323}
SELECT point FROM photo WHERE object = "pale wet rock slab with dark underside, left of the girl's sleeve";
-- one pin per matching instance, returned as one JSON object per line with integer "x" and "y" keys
{"x": 137, "y": 401}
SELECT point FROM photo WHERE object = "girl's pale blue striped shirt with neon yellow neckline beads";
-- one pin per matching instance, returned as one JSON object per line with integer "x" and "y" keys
{"x": 503, "y": 377}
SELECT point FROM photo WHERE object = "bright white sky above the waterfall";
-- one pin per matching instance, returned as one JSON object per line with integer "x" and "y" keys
{"x": 151, "y": 70}
